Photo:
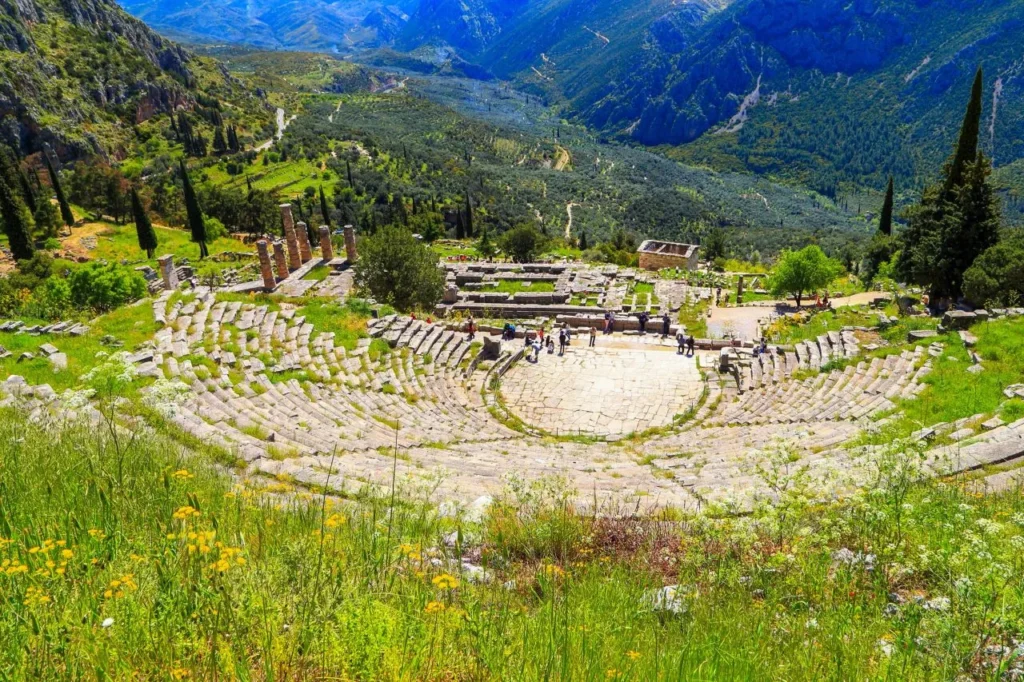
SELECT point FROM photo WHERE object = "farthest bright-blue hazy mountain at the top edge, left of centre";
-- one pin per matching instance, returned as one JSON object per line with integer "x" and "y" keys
{"x": 338, "y": 26}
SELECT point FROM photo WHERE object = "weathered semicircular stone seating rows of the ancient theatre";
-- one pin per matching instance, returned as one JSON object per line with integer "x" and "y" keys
{"x": 277, "y": 394}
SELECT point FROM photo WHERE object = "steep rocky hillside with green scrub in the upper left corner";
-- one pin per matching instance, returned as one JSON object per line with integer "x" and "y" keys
{"x": 79, "y": 75}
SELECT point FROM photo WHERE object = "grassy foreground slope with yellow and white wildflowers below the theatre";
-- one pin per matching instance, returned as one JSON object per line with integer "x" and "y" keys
{"x": 140, "y": 561}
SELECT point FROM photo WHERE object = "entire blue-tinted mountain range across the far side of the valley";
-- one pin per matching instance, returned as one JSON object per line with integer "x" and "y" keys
{"x": 822, "y": 91}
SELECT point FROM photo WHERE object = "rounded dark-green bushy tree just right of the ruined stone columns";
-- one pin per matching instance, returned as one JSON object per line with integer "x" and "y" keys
{"x": 397, "y": 269}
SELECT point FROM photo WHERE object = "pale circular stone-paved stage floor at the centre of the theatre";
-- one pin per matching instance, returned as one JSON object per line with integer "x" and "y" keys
{"x": 613, "y": 390}
